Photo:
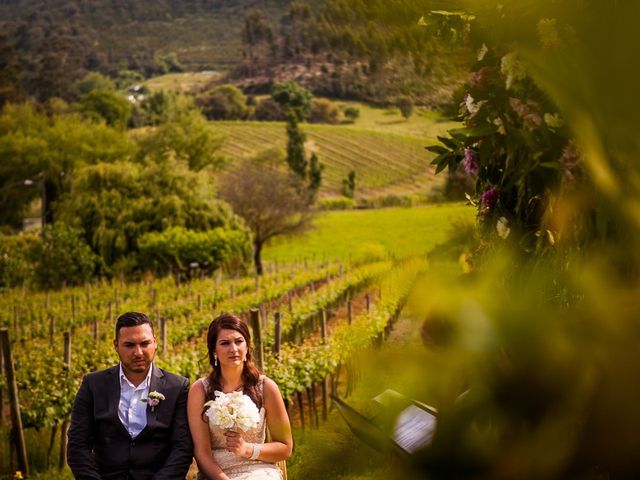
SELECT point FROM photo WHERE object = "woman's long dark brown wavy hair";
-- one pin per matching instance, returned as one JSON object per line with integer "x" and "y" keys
{"x": 250, "y": 373}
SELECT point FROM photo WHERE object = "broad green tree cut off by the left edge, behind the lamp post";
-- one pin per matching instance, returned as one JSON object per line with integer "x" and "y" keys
{"x": 38, "y": 155}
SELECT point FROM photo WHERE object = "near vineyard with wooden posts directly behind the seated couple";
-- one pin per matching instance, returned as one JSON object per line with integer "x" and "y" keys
{"x": 293, "y": 308}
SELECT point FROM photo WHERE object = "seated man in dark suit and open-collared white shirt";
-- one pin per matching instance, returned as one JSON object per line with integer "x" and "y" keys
{"x": 129, "y": 422}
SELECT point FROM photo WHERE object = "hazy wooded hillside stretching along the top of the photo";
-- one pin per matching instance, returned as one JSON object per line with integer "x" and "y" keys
{"x": 372, "y": 50}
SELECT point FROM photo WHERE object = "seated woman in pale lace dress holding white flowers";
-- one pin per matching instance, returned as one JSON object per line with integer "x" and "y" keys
{"x": 223, "y": 454}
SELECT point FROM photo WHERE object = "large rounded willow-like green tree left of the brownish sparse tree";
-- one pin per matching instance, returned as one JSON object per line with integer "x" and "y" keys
{"x": 116, "y": 203}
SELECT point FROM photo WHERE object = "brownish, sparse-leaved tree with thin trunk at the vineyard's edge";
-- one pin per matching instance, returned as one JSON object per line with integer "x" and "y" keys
{"x": 264, "y": 194}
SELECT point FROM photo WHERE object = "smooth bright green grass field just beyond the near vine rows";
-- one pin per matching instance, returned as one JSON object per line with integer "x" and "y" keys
{"x": 399, "y": 231}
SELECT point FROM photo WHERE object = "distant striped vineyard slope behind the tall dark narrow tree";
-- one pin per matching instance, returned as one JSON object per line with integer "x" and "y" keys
{"x": 385, "y": 163}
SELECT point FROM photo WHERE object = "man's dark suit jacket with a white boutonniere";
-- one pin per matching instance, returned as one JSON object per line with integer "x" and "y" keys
{"x": 99, "y": 445}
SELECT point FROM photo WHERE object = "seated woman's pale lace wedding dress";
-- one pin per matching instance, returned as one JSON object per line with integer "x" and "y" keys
{"x": 236, "y": 467}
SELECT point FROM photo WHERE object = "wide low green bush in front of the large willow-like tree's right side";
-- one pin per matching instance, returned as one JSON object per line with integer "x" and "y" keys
{"x": 177, "y": 248}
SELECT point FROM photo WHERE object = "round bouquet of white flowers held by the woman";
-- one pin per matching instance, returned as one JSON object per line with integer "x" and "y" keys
{"x": 232, "y": 411}
